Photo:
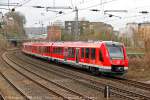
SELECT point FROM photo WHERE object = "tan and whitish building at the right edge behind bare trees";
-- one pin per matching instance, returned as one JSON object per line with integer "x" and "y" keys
{"x": 138, "y": 33}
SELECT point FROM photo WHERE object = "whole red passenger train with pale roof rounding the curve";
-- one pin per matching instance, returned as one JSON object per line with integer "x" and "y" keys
{"x": 106, "y": 57}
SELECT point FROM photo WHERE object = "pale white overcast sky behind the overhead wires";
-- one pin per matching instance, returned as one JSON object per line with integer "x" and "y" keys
{"x": 34, "y": 15}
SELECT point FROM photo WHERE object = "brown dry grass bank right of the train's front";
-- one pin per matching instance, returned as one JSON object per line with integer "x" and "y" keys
{"x": 139, "y": 68}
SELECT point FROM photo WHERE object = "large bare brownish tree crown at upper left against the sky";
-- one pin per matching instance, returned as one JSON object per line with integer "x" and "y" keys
{"x": 14, "y": 26}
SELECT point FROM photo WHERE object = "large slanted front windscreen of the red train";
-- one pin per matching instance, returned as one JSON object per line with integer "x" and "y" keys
{"x": 115, "y": 52}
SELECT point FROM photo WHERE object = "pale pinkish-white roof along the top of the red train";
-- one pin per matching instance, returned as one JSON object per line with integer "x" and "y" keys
{"x": 79, "y": 44}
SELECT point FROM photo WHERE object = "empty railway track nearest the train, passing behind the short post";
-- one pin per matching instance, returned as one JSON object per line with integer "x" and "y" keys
{"x": 96, "y": 85}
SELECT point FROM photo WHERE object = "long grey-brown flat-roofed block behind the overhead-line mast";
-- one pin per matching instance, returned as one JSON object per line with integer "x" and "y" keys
{"x": 87, "y": 27}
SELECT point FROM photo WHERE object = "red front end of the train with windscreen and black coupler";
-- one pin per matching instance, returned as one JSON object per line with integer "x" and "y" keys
{"x": 116, "y": 58}
